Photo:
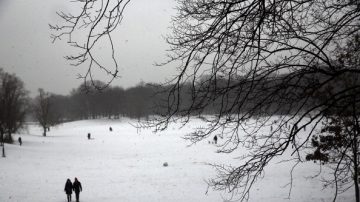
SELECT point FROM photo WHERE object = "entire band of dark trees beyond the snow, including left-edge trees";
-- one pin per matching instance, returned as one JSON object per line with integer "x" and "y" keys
{"x": 139, "y": 102}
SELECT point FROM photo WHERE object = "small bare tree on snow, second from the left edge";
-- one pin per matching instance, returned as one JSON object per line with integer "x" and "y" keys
{"x": 44, "y": 112}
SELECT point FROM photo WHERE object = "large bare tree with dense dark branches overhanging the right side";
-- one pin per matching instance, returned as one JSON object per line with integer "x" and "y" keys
{"x": 274, "y": 56}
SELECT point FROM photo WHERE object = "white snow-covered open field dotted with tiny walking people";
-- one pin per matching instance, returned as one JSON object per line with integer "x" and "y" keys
{"x": 127, "y": 165}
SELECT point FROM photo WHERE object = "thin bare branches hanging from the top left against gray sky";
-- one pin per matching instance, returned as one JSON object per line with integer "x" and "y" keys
{"x": 94, "y": 23}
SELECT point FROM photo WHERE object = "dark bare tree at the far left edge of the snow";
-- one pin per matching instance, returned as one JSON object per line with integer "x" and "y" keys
{"x": 13, "y": 106}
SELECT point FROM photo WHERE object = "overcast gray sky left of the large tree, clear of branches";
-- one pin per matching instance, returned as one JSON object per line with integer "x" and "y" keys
{"x": 26, "y": 48}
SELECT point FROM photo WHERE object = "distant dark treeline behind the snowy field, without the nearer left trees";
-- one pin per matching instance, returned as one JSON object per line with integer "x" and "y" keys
{"x": 145, "y": 100}
